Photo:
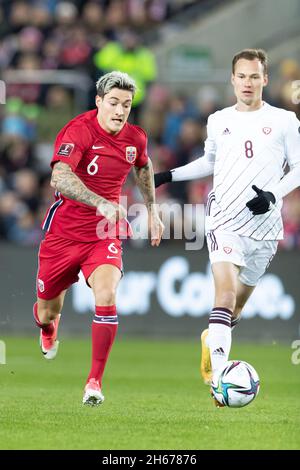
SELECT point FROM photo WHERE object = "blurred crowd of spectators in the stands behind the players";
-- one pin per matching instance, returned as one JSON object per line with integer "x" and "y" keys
{"x": 93, "y": 37}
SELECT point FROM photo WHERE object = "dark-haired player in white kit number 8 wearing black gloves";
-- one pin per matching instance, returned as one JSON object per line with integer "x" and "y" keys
{"x": 247, "y": 149}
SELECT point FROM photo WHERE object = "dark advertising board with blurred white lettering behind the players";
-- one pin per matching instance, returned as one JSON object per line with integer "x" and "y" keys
{"x": 164, "y": 292}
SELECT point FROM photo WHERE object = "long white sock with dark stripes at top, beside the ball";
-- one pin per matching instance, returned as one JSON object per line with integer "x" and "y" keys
{"x": 219, "y": 336}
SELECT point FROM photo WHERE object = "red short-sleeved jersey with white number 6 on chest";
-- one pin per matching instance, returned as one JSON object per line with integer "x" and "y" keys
{"x": 102, "y": 161}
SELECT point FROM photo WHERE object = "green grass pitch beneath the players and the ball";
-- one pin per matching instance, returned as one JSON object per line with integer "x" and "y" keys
{"x": 154, "y": 399}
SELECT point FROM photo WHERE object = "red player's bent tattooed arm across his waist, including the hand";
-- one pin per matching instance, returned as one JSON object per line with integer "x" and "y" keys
{"x": 64, "y": 180}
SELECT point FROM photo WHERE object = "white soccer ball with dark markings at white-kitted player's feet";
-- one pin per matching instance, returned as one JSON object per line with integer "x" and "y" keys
{"x": 236, "y": 385}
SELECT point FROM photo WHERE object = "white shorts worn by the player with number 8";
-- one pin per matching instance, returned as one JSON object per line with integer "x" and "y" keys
{"x": 253, "y": 256}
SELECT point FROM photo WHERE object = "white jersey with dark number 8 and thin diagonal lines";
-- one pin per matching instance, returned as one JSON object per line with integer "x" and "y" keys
{"x": 249, "y": 148}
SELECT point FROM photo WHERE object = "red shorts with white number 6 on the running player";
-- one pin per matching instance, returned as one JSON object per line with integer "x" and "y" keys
{"x": 60, "y": 261}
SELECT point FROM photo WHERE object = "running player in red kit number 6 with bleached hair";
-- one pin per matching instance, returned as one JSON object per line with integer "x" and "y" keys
{"x": 93, "y": 155}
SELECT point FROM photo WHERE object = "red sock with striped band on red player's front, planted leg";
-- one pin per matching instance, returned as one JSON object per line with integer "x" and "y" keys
{"x": 104, "y": 329}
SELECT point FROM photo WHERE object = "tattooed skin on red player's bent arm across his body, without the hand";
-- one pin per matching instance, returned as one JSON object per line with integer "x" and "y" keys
{"x": 64, "y": 180}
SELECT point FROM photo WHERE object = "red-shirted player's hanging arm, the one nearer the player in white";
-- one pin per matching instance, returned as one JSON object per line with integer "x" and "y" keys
{"x": 145, "y": 181}
